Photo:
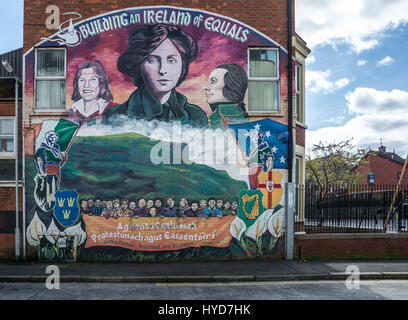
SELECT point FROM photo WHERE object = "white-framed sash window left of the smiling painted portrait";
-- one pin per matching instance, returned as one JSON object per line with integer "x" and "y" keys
{"x": 50, "y": 79}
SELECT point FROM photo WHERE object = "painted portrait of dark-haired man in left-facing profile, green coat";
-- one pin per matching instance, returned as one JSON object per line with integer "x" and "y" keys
{"x": 225, "y": 93}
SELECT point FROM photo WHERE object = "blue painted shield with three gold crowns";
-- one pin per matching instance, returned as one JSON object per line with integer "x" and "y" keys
{"x": 66, "y": 209}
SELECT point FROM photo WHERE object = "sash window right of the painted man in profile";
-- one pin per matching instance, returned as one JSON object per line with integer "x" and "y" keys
{"x": 263, "y": 84}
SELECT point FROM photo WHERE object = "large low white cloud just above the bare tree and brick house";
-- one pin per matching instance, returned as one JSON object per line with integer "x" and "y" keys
{"x": 378, "y": 114}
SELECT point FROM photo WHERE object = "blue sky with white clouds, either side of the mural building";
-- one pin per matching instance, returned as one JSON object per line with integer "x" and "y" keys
{"x": 356, "y": 83}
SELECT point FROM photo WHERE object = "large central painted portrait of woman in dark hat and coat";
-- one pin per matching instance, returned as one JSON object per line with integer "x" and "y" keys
{"x": 157, "y": 59}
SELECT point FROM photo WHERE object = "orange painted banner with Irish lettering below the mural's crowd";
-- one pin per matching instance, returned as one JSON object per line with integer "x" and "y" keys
{"x": 154, "y": 234}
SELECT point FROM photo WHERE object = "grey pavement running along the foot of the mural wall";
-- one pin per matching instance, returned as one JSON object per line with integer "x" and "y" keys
{"x": 207, "y": 271}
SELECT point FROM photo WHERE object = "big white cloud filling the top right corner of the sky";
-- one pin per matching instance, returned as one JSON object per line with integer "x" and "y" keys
{"x": 359, "y": 23}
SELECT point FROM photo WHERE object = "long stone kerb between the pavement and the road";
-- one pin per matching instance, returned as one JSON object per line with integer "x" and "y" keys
{"x": 211, "y": 279}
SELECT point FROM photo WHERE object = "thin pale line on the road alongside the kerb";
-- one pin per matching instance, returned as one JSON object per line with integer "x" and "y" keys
{"x": 265, "y": 283}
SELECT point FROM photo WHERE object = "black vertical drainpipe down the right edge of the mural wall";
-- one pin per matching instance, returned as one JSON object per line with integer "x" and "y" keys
{"x": 290, "y": 93}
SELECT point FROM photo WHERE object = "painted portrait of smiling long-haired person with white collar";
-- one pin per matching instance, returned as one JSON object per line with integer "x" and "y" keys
{"x": 92, "y": 94}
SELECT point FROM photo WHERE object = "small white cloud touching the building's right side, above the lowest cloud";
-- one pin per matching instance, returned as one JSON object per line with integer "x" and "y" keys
{"x": 318, "y": 81}
